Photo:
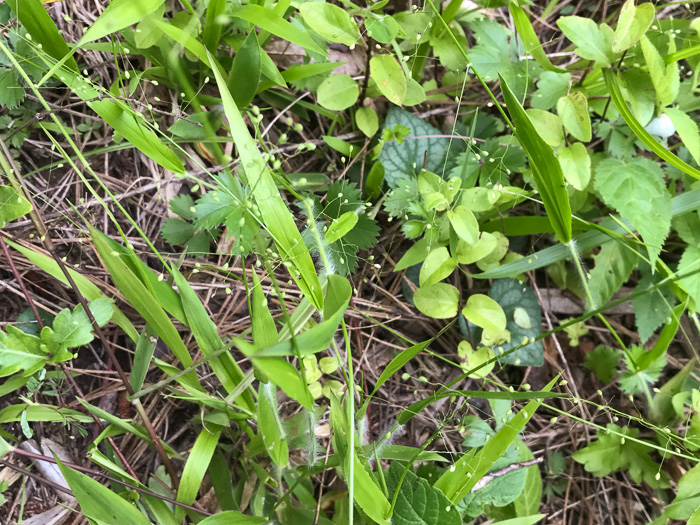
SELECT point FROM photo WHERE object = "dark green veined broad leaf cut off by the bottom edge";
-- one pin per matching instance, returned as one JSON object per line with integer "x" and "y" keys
{"x": 418, "y": 501}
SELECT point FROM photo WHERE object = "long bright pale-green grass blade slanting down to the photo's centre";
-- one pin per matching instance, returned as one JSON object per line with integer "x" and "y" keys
{"x": 275, "y": 216}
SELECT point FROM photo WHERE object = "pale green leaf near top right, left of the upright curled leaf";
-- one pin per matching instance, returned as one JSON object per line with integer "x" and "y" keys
{"x": 593, "y": 42}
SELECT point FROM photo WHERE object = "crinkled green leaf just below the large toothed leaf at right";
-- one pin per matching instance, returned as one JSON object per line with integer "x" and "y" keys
{"x": 613, "y": 266}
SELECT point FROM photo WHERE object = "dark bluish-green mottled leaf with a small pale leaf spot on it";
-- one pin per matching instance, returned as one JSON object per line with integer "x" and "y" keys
{"x": 523, "y": 320}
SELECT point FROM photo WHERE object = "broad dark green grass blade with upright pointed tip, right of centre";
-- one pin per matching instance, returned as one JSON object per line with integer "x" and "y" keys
{"x": 546, "y": 169}
